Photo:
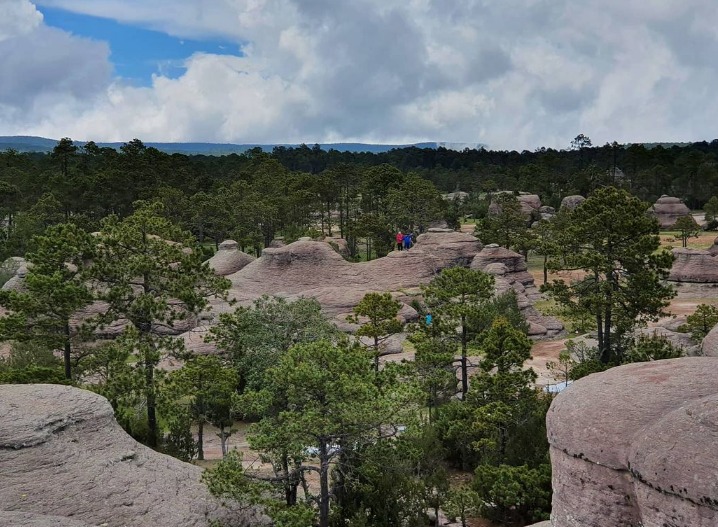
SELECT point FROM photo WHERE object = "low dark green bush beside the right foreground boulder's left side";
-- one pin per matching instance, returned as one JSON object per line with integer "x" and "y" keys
{"x": 511, "y": 494}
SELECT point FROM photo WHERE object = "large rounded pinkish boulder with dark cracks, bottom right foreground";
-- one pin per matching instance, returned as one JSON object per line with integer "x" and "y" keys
{"x": 637, "y": 446}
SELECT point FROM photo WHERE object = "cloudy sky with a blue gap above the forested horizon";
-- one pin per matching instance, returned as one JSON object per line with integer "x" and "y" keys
{"x": 517, "y": 74}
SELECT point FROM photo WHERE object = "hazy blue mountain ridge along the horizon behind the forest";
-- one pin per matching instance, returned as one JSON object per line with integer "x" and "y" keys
{"x": 41, "y": 144}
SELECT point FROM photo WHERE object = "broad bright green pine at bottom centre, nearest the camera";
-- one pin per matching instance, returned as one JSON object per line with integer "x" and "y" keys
{"x": 326, "y": 397}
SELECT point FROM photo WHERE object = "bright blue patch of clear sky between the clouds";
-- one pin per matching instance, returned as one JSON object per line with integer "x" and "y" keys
{"x": 137, "y": 53}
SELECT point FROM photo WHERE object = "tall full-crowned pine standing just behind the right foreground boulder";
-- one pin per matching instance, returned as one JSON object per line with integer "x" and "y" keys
{"x": 616, "y": 244}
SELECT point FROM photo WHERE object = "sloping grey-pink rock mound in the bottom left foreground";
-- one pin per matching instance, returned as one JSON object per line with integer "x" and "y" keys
{"x": 65, "y": 456}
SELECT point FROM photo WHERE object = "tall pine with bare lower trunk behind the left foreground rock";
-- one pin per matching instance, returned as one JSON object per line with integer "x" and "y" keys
{"x": 151, "y": 275}
